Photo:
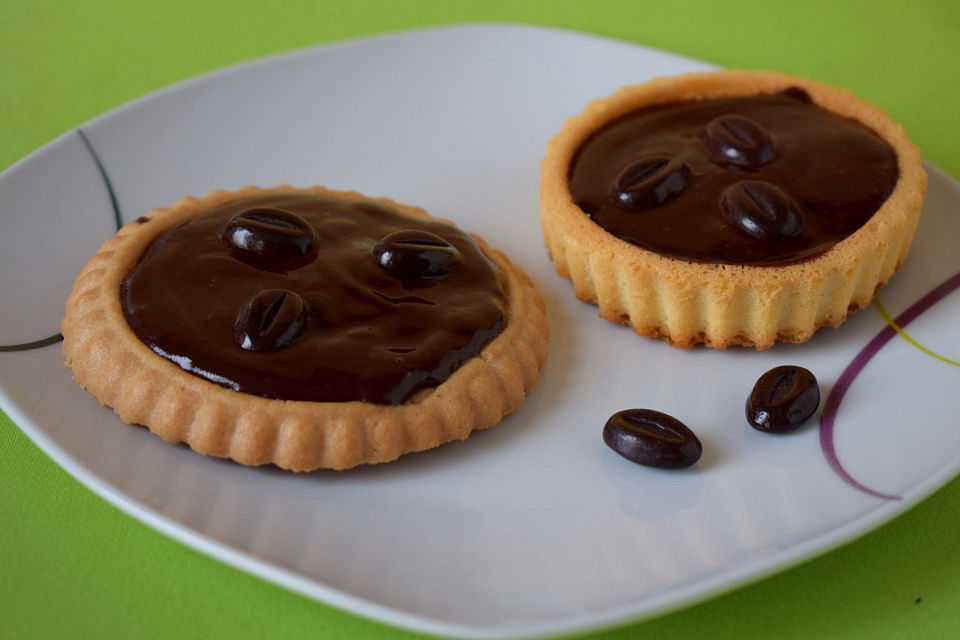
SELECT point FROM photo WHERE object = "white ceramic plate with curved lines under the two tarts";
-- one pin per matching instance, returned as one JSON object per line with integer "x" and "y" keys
{"x": 533, "y": 527}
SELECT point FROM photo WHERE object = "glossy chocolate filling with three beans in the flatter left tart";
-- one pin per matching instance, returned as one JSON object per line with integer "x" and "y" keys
{"x": 299, "y": 297}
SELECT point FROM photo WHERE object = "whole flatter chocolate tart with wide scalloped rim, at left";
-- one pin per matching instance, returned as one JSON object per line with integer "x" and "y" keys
{"x": 240, "y": 381}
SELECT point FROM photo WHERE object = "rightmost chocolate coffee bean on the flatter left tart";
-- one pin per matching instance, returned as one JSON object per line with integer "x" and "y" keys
{"x": 416, "y": 253}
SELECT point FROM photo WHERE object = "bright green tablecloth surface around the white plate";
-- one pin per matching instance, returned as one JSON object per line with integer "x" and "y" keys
{"x": 73, "y": 566}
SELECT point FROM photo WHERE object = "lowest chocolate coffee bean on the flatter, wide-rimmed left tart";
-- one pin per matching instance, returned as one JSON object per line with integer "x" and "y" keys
{"x": 271, "y": 320}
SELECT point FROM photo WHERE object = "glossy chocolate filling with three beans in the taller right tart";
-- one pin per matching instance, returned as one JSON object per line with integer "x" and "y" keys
{"x": 761, "y": 180}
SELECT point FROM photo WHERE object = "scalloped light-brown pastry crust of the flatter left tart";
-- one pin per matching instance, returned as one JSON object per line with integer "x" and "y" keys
{"x": 143, "y": 388}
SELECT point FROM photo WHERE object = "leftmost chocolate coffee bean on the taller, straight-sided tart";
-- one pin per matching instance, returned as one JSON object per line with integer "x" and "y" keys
{"x": 650, "y": 182}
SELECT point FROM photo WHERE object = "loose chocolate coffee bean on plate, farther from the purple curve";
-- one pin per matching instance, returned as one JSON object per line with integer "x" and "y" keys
{"x": 652, "y": 439}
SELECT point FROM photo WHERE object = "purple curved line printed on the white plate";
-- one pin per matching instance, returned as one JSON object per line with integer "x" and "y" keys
{"x": 853, "y": 369}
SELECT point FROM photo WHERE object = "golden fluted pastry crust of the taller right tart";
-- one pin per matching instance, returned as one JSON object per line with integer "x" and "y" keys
{"x": 687, "y": 302}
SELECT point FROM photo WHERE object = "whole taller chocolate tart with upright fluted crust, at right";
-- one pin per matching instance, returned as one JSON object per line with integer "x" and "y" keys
{"x": 648, "y": 204}
